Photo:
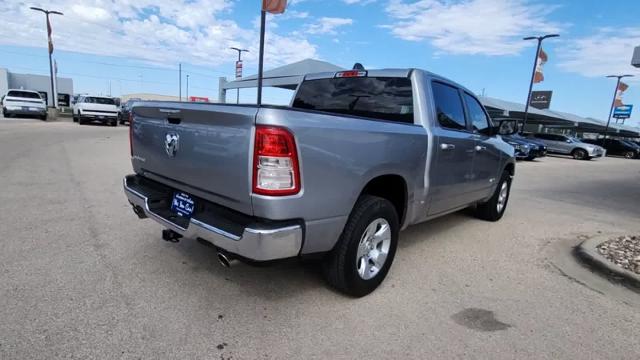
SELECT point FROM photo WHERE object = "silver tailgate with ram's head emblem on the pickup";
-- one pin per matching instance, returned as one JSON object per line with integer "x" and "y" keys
{"x": 211, "y": 159}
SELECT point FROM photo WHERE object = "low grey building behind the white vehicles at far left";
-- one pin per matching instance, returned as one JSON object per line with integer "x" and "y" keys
{"x": 39, "y": 83}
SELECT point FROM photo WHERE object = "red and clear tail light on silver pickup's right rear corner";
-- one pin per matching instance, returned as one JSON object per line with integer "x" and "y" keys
{"x": 275, "y": 162}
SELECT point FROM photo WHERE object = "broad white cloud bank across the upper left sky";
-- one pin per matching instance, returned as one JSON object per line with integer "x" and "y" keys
{"x": 158, "y": 31}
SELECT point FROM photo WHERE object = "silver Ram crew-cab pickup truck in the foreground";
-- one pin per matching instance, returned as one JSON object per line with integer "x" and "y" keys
{"x": 358, "y": 156}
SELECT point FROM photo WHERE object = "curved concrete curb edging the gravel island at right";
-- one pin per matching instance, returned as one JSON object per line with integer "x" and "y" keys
{"x": 587, "y": 253}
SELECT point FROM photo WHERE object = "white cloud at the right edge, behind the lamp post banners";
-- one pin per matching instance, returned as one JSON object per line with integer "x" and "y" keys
{"x": 606, "y": 52}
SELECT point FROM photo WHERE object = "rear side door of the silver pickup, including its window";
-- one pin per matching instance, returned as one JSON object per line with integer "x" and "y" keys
{"x": 451, "y": 172}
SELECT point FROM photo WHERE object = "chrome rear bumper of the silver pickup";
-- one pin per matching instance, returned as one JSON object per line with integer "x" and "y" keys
{"x": 259, "y": 243}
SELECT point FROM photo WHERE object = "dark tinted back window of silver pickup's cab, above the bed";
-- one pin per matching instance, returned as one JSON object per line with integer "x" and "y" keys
{"x": 381, "y": 98}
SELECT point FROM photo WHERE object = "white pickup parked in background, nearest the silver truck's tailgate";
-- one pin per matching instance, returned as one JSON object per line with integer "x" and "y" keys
{"x": 96, "y": 108}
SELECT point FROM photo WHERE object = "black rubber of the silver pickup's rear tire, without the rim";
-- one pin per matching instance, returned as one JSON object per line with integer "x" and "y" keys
{"x": 340, "y": 266}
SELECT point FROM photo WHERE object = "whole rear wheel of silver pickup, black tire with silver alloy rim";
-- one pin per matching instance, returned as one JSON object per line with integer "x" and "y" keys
{"x": 346, "y": 268}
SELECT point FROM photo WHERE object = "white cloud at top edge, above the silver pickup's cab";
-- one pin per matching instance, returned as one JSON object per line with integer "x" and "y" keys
{"x": 487, "y": 27}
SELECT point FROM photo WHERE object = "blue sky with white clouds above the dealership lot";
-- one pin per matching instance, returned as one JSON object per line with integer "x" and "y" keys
{"x": 131, "y": 46}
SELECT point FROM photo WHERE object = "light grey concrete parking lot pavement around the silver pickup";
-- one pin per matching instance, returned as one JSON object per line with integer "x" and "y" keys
{"x": 82, "y": 277}
